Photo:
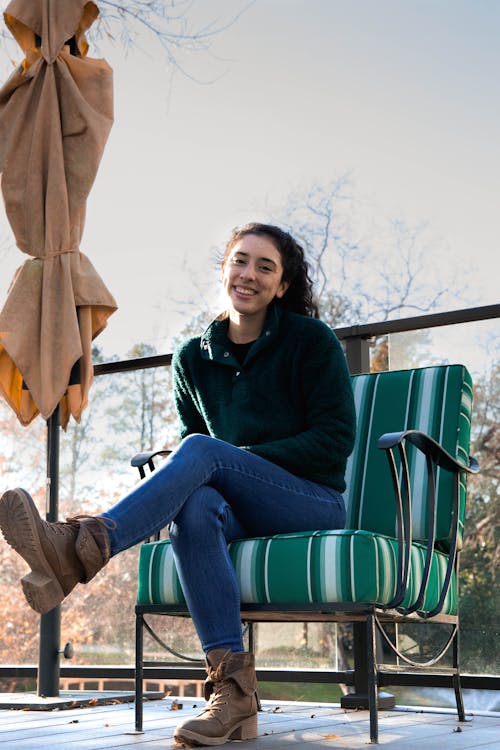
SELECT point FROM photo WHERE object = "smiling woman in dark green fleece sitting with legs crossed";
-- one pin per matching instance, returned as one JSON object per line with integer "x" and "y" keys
{"x": 267, "y": 422}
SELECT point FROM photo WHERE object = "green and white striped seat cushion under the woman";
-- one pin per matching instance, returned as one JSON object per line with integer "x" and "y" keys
{"x": 307, "y": 567}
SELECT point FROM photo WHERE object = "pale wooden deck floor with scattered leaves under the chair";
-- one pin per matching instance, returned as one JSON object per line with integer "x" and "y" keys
{"x": 281, "y": 725}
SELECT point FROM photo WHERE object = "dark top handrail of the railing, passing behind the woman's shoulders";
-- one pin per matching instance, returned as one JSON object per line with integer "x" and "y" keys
{"x": 367, "y": 330}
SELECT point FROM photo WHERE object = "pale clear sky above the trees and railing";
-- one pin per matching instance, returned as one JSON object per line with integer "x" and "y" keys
{"x": 403, "y": 94}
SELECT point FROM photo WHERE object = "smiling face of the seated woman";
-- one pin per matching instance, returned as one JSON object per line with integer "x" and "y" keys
{"x": 252, "y": 275}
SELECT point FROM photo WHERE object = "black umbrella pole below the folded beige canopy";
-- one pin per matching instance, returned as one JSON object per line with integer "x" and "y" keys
{"x": 50, "y": 623}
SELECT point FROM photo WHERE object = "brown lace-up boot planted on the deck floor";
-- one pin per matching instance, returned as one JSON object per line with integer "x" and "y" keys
{"x": 231, "y": 711}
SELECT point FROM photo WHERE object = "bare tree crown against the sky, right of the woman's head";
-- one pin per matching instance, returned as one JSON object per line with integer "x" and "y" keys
{"x": 386, "y": 268}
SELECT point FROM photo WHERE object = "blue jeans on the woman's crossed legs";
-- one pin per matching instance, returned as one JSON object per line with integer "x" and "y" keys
{"x": 211, "y": 493}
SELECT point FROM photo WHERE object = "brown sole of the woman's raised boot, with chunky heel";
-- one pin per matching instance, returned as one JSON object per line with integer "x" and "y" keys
{"x": 18, "y": 514}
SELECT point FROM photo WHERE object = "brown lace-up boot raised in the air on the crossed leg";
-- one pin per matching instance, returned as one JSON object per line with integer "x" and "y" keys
{"x": 60, "y": 554}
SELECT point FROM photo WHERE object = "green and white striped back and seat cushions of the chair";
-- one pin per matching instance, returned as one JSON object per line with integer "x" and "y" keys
{"x": 358, "y": 564}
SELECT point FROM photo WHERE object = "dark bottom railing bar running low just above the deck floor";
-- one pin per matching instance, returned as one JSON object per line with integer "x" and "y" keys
{"x": 120, "y": 672}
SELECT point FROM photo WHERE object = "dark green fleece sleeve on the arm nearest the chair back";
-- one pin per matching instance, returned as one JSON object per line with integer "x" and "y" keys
{"x": 328, "y": 437}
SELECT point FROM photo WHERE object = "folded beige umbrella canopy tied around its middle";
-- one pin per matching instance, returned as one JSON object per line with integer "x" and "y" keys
{"x": 56, "y": 112}
